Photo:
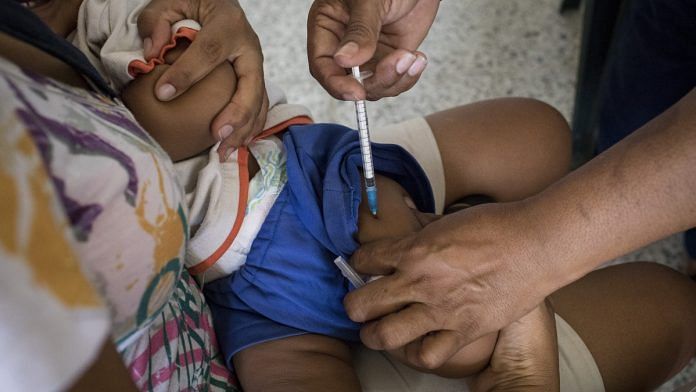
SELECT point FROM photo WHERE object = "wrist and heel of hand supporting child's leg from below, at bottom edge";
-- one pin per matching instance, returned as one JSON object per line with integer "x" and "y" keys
{"x": 525, "y": 357}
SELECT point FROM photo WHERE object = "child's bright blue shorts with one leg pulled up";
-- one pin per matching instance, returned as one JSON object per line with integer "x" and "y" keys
{"x": 289, "y": 285}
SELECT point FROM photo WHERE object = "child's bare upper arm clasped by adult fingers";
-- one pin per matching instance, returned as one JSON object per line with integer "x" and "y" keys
{"x": 181, "y": 126}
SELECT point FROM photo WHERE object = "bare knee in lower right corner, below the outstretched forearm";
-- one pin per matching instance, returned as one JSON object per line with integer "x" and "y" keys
{"x": 636, "y": 319}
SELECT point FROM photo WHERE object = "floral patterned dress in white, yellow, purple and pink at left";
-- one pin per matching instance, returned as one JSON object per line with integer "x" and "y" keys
{"x": 93, "y": 232}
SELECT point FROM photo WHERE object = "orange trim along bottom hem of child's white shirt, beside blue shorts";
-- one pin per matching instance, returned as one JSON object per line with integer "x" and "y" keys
{"x": 243, "y": 160}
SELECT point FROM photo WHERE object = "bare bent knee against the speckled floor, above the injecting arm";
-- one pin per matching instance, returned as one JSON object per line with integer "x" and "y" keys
{"x": 507, "y": 149}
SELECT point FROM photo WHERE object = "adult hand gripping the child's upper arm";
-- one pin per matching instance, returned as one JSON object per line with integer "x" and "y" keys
{"x": 225, "y": 36}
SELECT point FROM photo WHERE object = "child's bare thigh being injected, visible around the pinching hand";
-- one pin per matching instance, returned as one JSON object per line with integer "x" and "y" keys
{"x": 396, "y": 219}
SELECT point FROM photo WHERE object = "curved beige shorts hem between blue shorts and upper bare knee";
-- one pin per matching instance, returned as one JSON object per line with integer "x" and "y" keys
{"x": 417, "y": 138}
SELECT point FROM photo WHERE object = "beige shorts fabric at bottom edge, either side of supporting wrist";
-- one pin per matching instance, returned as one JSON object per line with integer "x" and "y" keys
{"x": 379, "y": 373}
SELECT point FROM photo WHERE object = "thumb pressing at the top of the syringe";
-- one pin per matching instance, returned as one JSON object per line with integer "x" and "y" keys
{"x": 359, "y": 42}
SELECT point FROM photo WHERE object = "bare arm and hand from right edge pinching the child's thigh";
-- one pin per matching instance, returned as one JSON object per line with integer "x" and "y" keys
{"x": 491, "y": 264}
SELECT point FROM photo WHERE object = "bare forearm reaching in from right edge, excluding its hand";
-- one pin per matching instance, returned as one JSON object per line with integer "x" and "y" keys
{"x": 637, "y": 192}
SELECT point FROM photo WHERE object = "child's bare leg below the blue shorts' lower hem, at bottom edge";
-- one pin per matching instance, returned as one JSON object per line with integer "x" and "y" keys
{"x": 298, "y": 363}
